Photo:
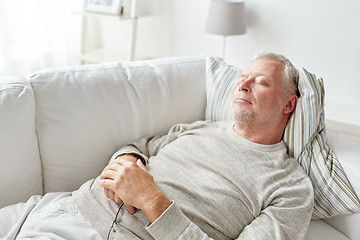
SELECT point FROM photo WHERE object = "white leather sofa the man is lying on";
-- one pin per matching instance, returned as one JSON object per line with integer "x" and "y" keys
{"x": 59, "y": 127}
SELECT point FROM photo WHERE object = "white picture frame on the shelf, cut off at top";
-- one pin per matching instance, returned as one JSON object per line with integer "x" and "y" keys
{"x": 115, "y": 7}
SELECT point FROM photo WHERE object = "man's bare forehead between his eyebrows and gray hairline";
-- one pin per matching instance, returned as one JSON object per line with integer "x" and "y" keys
{"x": 265, "y": 67}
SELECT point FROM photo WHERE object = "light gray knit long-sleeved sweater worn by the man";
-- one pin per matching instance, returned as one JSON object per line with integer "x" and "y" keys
{"x": 222, "y": 187}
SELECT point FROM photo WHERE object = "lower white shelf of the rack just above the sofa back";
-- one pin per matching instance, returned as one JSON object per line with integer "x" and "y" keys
{"x": 107, "y": 55}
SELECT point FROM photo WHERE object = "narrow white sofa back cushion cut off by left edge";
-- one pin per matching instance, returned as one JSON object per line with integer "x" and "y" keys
{"x": 19, "y": 152}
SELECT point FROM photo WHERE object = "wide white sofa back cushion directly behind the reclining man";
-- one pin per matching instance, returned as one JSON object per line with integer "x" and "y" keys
{"x": 85, "y": 113}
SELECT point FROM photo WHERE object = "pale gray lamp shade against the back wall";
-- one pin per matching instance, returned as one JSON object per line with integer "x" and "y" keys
{"x": 226, "y": 17}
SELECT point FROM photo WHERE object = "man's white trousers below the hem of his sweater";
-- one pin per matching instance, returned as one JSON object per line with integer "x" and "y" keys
{"x": 53, "y": 216}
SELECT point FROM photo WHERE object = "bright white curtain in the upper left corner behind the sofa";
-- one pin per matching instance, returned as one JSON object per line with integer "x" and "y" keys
{"x": 38, "y": 34}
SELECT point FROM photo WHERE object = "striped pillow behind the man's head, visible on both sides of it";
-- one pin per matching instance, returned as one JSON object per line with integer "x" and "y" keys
{"x": 304, "y": 136}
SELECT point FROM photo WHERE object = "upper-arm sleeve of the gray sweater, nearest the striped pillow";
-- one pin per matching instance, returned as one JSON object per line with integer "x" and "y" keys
{"x": 287, "y": 215}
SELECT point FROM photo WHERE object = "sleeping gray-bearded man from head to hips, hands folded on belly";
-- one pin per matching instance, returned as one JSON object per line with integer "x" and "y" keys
{"x": 208, "y": 180}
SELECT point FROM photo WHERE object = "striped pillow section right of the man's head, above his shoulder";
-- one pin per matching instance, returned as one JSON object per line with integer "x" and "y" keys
{"x": 305, "y": 137}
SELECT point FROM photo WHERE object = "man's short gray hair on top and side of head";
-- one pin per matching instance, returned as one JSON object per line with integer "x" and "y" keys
{"x": 290, "y": 73}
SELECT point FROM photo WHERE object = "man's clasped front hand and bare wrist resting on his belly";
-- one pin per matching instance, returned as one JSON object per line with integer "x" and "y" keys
{"x": 132, "y": 184}
